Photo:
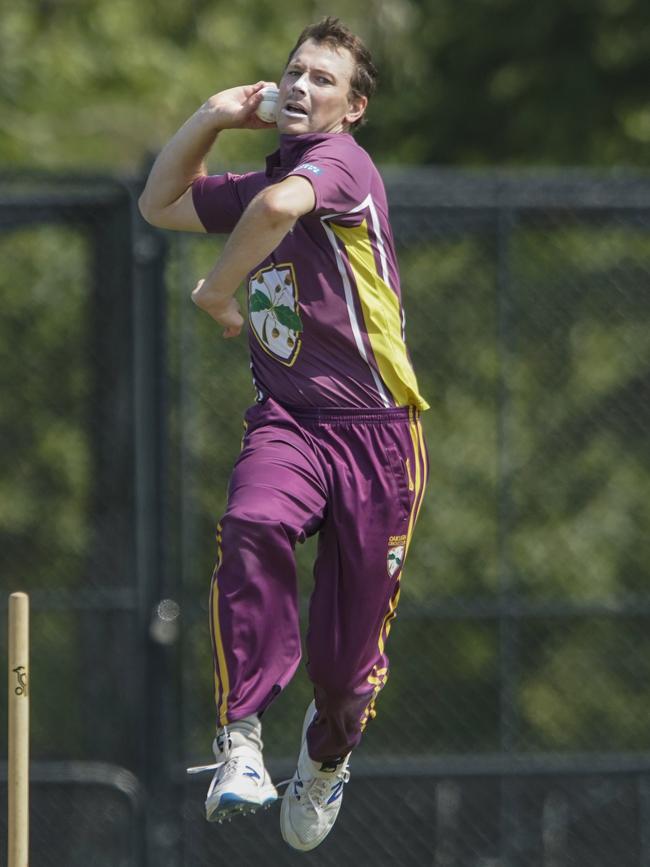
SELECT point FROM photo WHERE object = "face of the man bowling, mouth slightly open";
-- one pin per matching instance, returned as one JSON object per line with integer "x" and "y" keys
{"x": 315, "y": 91}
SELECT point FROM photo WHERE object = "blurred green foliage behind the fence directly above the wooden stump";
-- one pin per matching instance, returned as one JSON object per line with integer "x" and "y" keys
{"x": 44, "y": 379}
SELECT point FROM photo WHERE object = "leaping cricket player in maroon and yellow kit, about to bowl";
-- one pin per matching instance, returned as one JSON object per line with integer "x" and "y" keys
{"x": 333, "y": 445}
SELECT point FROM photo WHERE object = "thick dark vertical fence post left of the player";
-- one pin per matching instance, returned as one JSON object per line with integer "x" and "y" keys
{"x": 156, "y": 582}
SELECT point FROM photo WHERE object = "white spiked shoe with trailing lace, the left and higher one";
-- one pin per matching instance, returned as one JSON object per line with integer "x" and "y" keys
{"x": 241, "y": 783}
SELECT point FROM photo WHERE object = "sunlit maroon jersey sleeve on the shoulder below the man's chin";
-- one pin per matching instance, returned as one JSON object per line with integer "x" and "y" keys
{"x": 339, "y": 174}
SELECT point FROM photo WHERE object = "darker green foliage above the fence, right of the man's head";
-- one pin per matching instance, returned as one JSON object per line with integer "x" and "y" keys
{"x": 508, "y": 81}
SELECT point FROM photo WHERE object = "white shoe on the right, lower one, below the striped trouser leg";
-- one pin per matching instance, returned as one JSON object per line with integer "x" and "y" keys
{"x": 312, "y": 799}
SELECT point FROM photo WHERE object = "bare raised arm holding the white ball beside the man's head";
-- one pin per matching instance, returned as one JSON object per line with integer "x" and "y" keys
{"x": 166, "y": 200}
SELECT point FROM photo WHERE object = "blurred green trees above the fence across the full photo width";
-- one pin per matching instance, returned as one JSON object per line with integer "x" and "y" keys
{"x": 97, "y": 83}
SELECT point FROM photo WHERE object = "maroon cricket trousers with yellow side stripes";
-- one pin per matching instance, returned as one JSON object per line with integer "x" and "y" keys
{"x": 356, "y": 477}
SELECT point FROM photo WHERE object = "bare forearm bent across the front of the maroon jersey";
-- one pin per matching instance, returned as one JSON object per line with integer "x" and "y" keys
{"x": 261, "y": 228}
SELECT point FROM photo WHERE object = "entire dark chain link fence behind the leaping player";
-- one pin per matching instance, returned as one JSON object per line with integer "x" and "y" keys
{"x": 513, "y": 730}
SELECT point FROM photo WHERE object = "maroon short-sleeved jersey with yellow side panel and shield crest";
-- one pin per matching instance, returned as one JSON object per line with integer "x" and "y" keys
{"x": 326, "y": 325}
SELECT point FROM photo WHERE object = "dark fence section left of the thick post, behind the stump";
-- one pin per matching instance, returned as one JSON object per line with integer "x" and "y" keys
{"x": 67, "y": 511}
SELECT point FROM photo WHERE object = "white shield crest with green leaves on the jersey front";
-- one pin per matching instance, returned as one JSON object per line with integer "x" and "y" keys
{"x": 273, "y": 311}
